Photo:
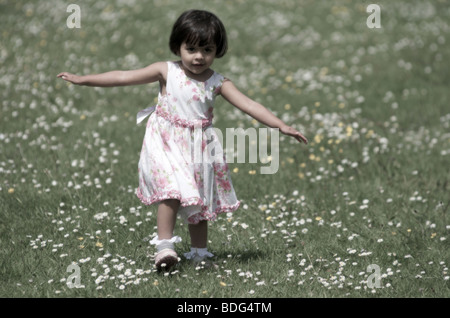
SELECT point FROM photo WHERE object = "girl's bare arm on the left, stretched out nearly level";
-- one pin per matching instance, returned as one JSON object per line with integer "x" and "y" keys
{"x": 152, "y": 73}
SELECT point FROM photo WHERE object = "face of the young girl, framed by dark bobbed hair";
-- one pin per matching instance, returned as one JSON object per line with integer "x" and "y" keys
{"x": 197, "y": 60}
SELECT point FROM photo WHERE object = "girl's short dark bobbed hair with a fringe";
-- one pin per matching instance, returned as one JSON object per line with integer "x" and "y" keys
{"x": 198, "y": 27}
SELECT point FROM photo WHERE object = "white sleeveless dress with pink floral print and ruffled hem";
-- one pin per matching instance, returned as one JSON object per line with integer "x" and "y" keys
{"x": 181, "y": 150}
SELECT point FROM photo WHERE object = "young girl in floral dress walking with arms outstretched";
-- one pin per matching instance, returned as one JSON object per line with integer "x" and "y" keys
{"x": 196, "y": 190}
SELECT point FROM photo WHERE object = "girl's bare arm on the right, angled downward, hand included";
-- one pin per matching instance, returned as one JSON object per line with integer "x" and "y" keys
{"x": 257, "y": 111}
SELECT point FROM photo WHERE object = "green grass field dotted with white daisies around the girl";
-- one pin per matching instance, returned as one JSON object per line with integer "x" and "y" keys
{"x": 361, "y": 211}
